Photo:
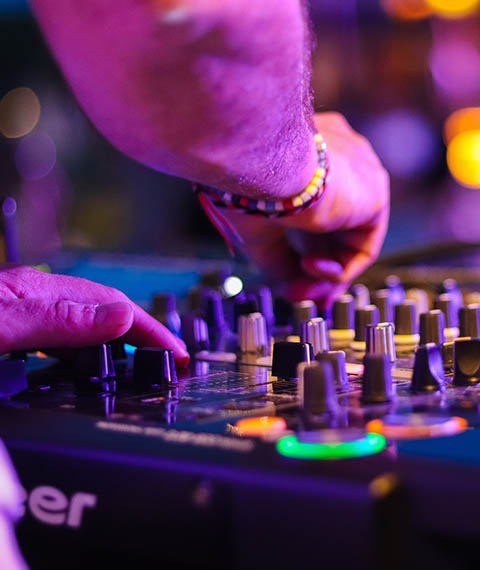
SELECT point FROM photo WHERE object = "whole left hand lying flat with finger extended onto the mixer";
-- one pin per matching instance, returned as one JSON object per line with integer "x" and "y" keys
{"x": 40, "y": 310}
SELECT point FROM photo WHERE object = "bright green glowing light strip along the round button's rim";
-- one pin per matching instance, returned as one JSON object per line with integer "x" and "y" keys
{"x": 289, "y": 446}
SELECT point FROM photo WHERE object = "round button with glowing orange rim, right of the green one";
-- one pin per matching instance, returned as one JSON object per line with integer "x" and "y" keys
{"x": 416, "y": 426}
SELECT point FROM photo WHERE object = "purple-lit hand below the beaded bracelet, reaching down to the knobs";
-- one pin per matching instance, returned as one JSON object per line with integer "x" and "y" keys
{"x": 321, "y": 250}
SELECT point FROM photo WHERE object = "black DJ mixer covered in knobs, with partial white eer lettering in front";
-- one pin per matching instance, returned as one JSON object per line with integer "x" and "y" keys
{"x": 346, "y": 439}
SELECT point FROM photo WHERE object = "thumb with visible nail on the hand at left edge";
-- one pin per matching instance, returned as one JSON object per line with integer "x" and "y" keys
{"x": 36, "y": 323}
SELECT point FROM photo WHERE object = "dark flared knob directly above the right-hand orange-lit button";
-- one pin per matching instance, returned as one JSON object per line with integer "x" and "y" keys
{"x": 428, "y": 373}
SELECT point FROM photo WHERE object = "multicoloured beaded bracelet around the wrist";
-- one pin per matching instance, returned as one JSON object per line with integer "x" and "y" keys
{"x": 276, "y": 208}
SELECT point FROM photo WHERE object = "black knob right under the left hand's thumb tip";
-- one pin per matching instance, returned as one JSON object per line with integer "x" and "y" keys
{"x": 94, "y": 364}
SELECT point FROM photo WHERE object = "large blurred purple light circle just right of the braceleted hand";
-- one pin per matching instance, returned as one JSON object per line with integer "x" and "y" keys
{"x": 404, "y": 140}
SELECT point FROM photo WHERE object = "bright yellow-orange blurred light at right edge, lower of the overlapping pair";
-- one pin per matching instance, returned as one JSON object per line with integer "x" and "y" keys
{"x": 463, "y": 158}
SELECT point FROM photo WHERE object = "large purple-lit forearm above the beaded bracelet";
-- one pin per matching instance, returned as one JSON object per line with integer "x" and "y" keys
{"x": 214, "y": 91}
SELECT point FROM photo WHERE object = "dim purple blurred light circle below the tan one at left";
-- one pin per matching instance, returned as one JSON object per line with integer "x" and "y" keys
{"x": 35, "y": 156}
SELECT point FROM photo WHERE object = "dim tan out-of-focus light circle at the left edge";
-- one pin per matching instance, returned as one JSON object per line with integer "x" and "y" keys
{"x": 19, "y": 112}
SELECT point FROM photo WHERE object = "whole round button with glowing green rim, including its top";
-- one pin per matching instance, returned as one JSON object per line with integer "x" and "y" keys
{"x": 330, "y": 444}
